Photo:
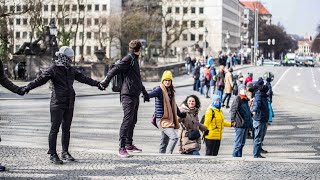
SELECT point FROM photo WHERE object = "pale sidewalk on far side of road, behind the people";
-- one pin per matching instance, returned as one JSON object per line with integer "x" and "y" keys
{"x": 43, "y": 92}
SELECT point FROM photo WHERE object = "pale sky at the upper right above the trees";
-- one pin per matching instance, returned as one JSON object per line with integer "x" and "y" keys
{"x": 297, "y": 16}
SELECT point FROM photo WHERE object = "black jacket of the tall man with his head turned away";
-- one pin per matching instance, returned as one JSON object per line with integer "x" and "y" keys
{"x": 132, "y": 85}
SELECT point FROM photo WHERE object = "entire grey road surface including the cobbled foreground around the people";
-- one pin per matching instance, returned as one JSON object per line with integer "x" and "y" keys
{"x": 292, "y": 140}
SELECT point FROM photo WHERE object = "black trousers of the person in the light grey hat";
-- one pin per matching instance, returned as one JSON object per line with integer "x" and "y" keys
{"x": 60, "y": 116}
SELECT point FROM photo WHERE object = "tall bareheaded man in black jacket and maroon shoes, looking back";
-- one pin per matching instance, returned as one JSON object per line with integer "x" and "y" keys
{"x": 129, "y": 96}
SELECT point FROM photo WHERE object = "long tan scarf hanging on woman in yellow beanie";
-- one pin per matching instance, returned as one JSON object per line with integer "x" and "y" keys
{"x": 169, "y": 118}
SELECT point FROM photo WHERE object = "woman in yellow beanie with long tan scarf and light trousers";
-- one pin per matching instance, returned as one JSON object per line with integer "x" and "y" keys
{"x": 166, "y": 112}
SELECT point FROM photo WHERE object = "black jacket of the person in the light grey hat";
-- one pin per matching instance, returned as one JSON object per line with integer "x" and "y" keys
{"x": 62, "y": 78}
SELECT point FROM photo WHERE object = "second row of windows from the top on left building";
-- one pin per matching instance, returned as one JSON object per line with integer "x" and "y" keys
{"x": 67, "y": 21}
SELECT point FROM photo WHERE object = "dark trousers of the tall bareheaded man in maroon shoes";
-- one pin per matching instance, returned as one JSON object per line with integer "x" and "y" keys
{"x": 130, "y": 105}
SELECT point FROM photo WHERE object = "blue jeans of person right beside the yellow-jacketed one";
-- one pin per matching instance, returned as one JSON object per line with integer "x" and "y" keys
{"x": 239, "y": 141}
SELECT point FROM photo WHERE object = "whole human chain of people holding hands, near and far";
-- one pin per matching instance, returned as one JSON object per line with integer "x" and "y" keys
{"x": 250, "y": 108}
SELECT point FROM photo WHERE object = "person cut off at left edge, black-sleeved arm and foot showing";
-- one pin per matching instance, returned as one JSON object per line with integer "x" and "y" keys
{"x": 6, "y": 83}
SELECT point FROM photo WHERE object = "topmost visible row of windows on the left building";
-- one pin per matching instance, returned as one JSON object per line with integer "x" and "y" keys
{"x": 53, "y": 8}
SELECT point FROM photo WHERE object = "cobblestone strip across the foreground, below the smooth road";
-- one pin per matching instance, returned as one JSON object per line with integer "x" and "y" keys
{"x": 29, "y": 163}
